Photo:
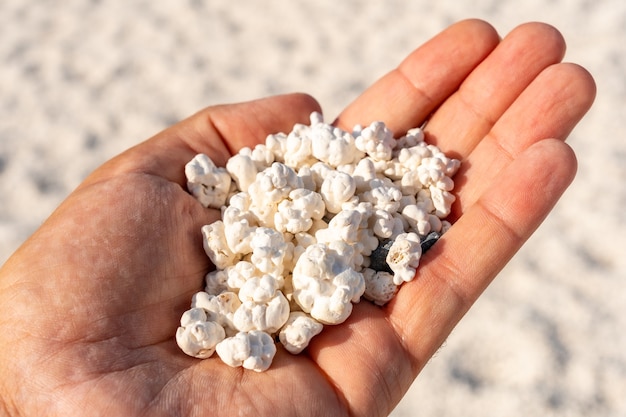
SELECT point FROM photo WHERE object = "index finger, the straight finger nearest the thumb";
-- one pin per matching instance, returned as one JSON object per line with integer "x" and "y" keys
{"x": 407, "y": 95}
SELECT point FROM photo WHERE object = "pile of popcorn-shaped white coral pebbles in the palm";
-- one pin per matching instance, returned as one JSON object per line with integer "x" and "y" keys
{"x": 301, "y": 216}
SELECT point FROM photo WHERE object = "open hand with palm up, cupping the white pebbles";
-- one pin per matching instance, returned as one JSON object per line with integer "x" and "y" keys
{"x": 90, "y": 303}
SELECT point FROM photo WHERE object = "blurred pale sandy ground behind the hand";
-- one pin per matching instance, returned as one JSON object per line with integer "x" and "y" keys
{"x": 80, "y": 81}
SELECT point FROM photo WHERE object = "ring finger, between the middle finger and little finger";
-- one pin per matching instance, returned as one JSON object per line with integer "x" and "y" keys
{"x": 549, "y": 108}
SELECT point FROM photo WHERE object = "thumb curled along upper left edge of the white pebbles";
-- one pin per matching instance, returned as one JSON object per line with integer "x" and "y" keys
{"x": 218, "y": 131}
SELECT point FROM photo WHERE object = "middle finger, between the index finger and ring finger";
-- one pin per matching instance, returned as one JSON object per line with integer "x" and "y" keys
{"x": 466, "y": 117}
